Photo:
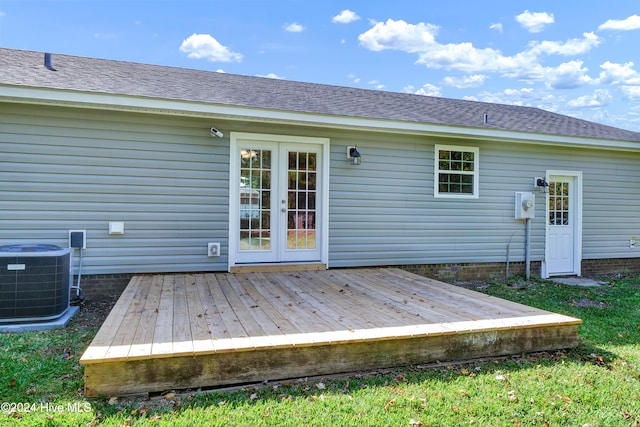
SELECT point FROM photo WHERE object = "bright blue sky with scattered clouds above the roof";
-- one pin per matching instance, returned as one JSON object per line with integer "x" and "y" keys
{"x": 579, "y": 58}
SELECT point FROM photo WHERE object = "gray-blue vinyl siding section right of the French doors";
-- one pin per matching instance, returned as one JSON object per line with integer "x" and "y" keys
{"x": 383, "y": 212}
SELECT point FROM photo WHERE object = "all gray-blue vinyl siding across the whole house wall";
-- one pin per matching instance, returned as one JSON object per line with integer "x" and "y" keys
{"x": 167, "y": 180}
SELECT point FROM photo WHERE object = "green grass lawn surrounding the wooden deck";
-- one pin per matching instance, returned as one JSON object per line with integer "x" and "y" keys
{"x": 597, "y": 384}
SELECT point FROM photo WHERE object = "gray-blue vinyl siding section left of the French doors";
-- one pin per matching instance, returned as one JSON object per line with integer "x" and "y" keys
{"x": 63, "y": 169}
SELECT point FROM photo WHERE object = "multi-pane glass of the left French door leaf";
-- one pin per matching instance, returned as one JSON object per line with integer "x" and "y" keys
{"x": 255, "y": 199}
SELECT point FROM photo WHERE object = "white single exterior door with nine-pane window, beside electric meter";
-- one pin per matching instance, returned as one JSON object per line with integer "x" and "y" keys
{"x": 563, "y": 240}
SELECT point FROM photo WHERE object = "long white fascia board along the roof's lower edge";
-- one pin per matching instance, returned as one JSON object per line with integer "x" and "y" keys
{"x": 102, "y": 101}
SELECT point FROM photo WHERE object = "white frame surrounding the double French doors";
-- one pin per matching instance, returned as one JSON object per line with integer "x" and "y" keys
{"x": 237, "y": 138}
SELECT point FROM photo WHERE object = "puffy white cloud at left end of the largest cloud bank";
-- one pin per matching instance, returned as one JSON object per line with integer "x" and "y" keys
{"x": 399, "y": 35}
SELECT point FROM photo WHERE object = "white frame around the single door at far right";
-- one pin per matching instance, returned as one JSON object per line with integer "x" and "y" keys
{"x": 577, "y": 222}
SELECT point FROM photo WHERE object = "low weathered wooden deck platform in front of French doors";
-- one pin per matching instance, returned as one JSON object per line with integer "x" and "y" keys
{"x": 204, "y": 330}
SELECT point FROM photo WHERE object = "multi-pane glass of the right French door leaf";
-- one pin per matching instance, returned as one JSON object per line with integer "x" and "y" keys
{"x": 301, "y": 215}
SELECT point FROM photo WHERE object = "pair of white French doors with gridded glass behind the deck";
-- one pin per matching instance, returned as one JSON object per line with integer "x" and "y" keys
{"x": 277, "y": 196}
